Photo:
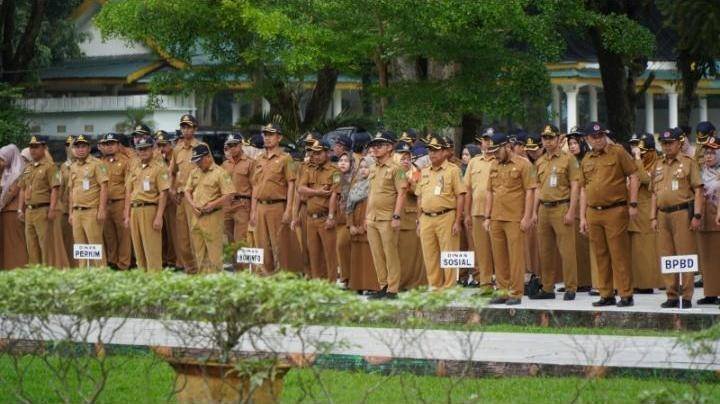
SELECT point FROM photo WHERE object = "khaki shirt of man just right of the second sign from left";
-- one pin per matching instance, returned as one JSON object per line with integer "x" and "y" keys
{"x": 272, "y": 174}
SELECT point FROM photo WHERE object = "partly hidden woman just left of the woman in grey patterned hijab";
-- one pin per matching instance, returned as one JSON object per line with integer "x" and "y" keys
{"x": 342, "y": 232}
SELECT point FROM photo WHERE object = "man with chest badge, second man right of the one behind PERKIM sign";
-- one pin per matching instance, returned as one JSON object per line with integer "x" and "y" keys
{"x": 147, "y": 186}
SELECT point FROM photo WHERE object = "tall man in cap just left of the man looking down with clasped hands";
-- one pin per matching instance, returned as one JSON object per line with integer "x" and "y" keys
{"x": 180, "y": 168}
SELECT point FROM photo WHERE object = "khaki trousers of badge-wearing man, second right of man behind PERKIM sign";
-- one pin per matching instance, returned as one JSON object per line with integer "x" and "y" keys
{"x": 147, "y": 242}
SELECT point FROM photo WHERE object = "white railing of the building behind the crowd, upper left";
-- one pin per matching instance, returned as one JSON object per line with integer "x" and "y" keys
{"x": 105, "y": 103}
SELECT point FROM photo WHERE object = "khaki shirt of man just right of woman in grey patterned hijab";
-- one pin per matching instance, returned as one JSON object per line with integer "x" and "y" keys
{"x": 386, "y": 182}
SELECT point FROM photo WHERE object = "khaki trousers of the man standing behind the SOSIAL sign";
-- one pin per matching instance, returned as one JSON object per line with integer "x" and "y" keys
{"x": 436, "y": 236}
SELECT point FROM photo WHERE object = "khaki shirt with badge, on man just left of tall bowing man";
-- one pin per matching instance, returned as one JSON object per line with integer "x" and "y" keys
{"x": 555, "y": 173}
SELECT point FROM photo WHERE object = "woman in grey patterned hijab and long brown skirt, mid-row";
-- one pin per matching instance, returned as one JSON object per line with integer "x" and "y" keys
{"x": 362, "y": 270}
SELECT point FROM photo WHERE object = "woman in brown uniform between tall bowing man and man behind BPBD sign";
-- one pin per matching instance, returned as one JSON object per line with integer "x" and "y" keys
{"x": 643, "y": 240}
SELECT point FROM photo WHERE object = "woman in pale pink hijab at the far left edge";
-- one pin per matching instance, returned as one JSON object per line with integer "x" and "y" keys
{"x": 13, "y": 252}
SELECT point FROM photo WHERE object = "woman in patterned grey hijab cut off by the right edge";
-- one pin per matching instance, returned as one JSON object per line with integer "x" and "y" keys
{"x": 709, "y": 237}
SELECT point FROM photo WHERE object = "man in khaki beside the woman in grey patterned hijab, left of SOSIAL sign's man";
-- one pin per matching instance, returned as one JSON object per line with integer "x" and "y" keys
{"x": 386, "y": 197}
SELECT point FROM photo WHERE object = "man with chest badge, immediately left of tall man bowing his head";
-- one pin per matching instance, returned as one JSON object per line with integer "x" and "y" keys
{"x": 555, "y": 205}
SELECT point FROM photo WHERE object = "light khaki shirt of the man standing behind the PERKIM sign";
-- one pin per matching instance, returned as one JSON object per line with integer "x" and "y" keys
{"x": 85, "y": 179}
